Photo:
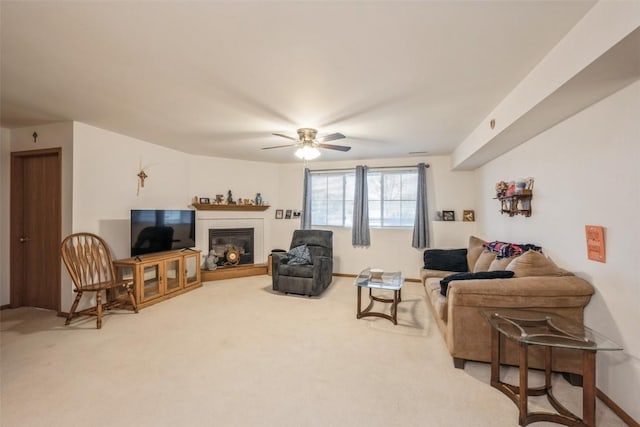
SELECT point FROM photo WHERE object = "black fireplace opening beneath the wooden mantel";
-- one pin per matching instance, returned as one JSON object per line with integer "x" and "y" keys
{"x": 223, "y": 240}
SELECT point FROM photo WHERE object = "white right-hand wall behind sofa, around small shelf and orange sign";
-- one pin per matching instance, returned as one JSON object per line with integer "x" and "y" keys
{"x": 586, "y": 172}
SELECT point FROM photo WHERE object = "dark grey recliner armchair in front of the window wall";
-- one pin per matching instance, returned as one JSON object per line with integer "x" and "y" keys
{"x": 307, "y": 279}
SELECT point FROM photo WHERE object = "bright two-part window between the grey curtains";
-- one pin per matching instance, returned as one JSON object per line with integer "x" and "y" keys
{"x": 392, "y": 198}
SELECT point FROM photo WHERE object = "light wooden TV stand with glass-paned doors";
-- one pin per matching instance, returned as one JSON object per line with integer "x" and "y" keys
{"x": 159, "y": 276}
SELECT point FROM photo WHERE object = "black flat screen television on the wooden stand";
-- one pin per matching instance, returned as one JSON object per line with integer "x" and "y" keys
{"x": 155, "y": 230}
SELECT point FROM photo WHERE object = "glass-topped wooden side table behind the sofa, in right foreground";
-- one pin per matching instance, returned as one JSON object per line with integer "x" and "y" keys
{"x": 549, "y": 331}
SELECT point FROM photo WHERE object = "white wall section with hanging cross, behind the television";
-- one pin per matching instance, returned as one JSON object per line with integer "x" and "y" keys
{"x": 105, "y": 187}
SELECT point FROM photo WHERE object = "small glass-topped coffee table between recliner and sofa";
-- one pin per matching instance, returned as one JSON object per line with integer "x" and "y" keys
{"x": 391, "y": 281}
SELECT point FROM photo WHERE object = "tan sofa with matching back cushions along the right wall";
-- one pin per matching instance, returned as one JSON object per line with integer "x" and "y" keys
{"x": 538, "y": 284}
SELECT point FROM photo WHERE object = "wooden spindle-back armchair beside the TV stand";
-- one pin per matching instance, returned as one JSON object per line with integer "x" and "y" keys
{"x": 88, "y": 260}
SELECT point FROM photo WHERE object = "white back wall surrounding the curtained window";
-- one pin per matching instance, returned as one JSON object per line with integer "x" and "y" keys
{"x": 390, "y": 248}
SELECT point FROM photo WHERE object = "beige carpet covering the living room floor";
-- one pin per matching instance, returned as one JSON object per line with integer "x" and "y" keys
{"x": 233, "y": 353}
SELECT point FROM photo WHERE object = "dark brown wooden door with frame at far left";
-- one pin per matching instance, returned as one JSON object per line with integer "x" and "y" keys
{"x": 36, "y": 181}
